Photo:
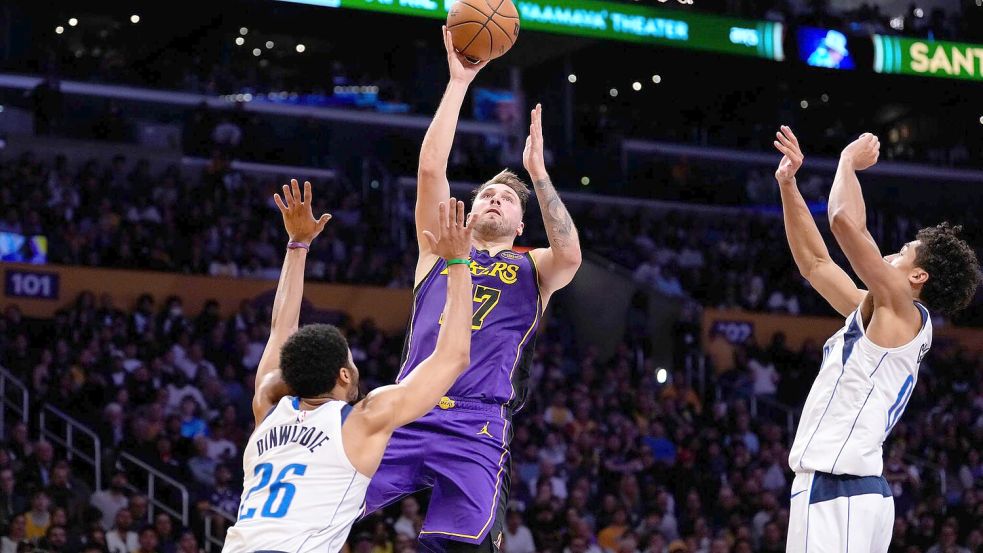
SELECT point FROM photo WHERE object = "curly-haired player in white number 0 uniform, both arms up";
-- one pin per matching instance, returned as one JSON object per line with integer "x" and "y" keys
{"x": 840, "y": 501}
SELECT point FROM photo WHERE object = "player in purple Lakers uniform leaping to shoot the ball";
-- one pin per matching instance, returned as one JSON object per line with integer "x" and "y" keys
{"x": 461, "y": 449}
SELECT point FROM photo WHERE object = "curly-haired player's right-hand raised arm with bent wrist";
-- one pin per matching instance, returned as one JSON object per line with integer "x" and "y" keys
{"x": 848, "y": 220}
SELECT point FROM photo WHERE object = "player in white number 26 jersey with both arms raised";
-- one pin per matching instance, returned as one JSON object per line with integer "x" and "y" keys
{"x": 309, "y": 461}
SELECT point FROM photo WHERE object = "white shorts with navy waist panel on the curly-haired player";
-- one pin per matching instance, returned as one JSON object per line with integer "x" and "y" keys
{"x": 841, "y": 513}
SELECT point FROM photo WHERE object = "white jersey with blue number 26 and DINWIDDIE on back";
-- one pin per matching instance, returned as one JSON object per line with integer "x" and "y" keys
{"x": 301, "y": 493}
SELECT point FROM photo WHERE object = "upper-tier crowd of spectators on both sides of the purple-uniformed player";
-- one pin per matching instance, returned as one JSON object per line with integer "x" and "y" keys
{"x": 223, "y": 223}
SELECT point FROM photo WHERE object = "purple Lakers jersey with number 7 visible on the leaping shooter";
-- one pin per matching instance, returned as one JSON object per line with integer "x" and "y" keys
{"x": 507, "y": 308}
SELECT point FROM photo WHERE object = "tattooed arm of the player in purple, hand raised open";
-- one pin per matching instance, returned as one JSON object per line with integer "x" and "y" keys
{"x": 558, "y": 263}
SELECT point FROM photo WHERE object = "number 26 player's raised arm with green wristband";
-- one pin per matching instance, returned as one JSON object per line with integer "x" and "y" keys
{"x": 384, "y": 409}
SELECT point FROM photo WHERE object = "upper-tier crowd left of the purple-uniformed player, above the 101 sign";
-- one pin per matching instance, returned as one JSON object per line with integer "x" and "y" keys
{"x": 221, "y": 222}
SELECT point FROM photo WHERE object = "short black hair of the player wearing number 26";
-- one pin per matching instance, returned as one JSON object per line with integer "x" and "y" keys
{"x": 312, "y": 359}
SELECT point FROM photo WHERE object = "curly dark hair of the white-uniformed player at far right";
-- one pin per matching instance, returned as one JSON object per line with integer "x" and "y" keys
{"x": 952, "y": 267}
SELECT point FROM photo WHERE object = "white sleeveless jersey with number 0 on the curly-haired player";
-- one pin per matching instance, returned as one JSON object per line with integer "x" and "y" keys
{"x": 858, "y": 396}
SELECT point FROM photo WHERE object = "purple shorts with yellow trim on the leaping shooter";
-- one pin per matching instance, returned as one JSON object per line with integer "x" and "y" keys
{"x": 460, "y": 449}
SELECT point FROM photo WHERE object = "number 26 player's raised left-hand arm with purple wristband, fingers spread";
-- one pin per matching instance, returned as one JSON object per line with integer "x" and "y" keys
{"x": 302, "y": 228}
